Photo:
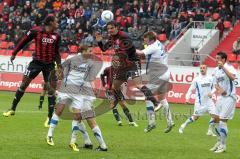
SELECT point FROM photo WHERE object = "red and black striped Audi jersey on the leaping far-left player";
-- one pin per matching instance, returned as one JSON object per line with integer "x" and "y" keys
{"x": 46, "y": 45}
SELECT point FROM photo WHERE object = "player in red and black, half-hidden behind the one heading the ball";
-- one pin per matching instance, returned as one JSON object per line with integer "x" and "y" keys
{"x": 106, "y": 79}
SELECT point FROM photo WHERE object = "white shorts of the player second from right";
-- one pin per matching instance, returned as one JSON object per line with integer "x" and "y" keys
{"x": 207, "y": 106}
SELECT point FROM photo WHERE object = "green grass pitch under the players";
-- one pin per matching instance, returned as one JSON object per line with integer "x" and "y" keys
{"x": 23, "y": 135}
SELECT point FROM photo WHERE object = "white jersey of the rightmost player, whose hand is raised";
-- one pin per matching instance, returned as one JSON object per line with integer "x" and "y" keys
{"x": 222, "y": 80}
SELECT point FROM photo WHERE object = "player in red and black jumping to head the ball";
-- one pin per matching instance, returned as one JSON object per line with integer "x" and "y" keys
{"x": 129, "y": 63}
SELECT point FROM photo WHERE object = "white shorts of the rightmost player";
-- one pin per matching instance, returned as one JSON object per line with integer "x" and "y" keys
{"x": 225, "y": 107}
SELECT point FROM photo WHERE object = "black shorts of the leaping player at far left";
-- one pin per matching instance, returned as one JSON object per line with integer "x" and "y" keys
{"x": 35, "y": 67}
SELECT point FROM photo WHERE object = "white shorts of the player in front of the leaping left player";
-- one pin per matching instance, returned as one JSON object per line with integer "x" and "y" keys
{"x": 77, "y": 101}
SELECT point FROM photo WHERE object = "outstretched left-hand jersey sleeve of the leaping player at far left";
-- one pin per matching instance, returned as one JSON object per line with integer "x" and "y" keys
{"x": 29, "y": 36}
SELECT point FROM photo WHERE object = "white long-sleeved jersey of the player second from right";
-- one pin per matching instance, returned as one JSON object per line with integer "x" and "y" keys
{"x": 202, "y": 85}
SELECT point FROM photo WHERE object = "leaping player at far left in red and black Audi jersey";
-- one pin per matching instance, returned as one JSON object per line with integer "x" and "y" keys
{"x": 44, "y": 58}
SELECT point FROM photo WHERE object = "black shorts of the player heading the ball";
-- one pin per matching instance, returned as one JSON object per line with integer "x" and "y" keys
{"x": 131, "y": 71}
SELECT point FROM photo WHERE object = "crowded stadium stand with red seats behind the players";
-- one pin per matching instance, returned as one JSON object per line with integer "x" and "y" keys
{"x": 166, "y": 17}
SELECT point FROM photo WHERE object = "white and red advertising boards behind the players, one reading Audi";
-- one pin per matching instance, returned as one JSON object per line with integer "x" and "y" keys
{"x": 181, "y": 77}
